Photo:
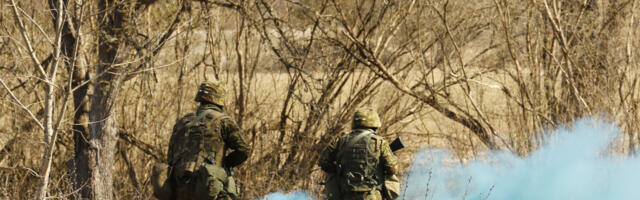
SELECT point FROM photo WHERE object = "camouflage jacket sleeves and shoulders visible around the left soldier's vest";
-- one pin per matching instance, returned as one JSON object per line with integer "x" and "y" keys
{"x": 231, "y": 135}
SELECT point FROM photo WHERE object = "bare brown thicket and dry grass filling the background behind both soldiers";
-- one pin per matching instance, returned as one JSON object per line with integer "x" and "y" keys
{"x": 91, "y": 89}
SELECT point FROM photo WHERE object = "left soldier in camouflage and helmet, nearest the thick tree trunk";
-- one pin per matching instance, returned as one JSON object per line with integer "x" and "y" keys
{"x": 198, "y": 159}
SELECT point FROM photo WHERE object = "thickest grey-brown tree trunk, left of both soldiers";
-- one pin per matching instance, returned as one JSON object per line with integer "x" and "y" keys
{"x": 95, "y": 151}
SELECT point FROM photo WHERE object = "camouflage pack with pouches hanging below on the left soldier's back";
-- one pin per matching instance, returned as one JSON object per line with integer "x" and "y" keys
{"x": 195, "y": 152}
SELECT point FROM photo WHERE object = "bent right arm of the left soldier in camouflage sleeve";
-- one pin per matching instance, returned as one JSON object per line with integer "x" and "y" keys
{"x": 233, "y": 139}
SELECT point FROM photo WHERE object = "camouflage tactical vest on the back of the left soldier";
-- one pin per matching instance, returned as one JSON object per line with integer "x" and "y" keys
{"x": 198, "y": 139}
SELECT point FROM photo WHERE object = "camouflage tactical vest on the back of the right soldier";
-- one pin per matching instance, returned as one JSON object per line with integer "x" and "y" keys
{"x": 358, "y": 162}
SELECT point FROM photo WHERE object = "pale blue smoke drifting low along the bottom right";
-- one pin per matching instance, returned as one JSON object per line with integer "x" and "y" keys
{"x": 574, "y": 163}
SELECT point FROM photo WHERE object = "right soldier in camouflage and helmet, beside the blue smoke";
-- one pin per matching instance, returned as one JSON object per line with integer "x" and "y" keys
{"x": 359, "y": 164}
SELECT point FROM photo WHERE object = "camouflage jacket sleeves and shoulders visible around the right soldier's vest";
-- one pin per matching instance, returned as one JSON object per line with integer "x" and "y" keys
{"x": 328, "y": 157}
